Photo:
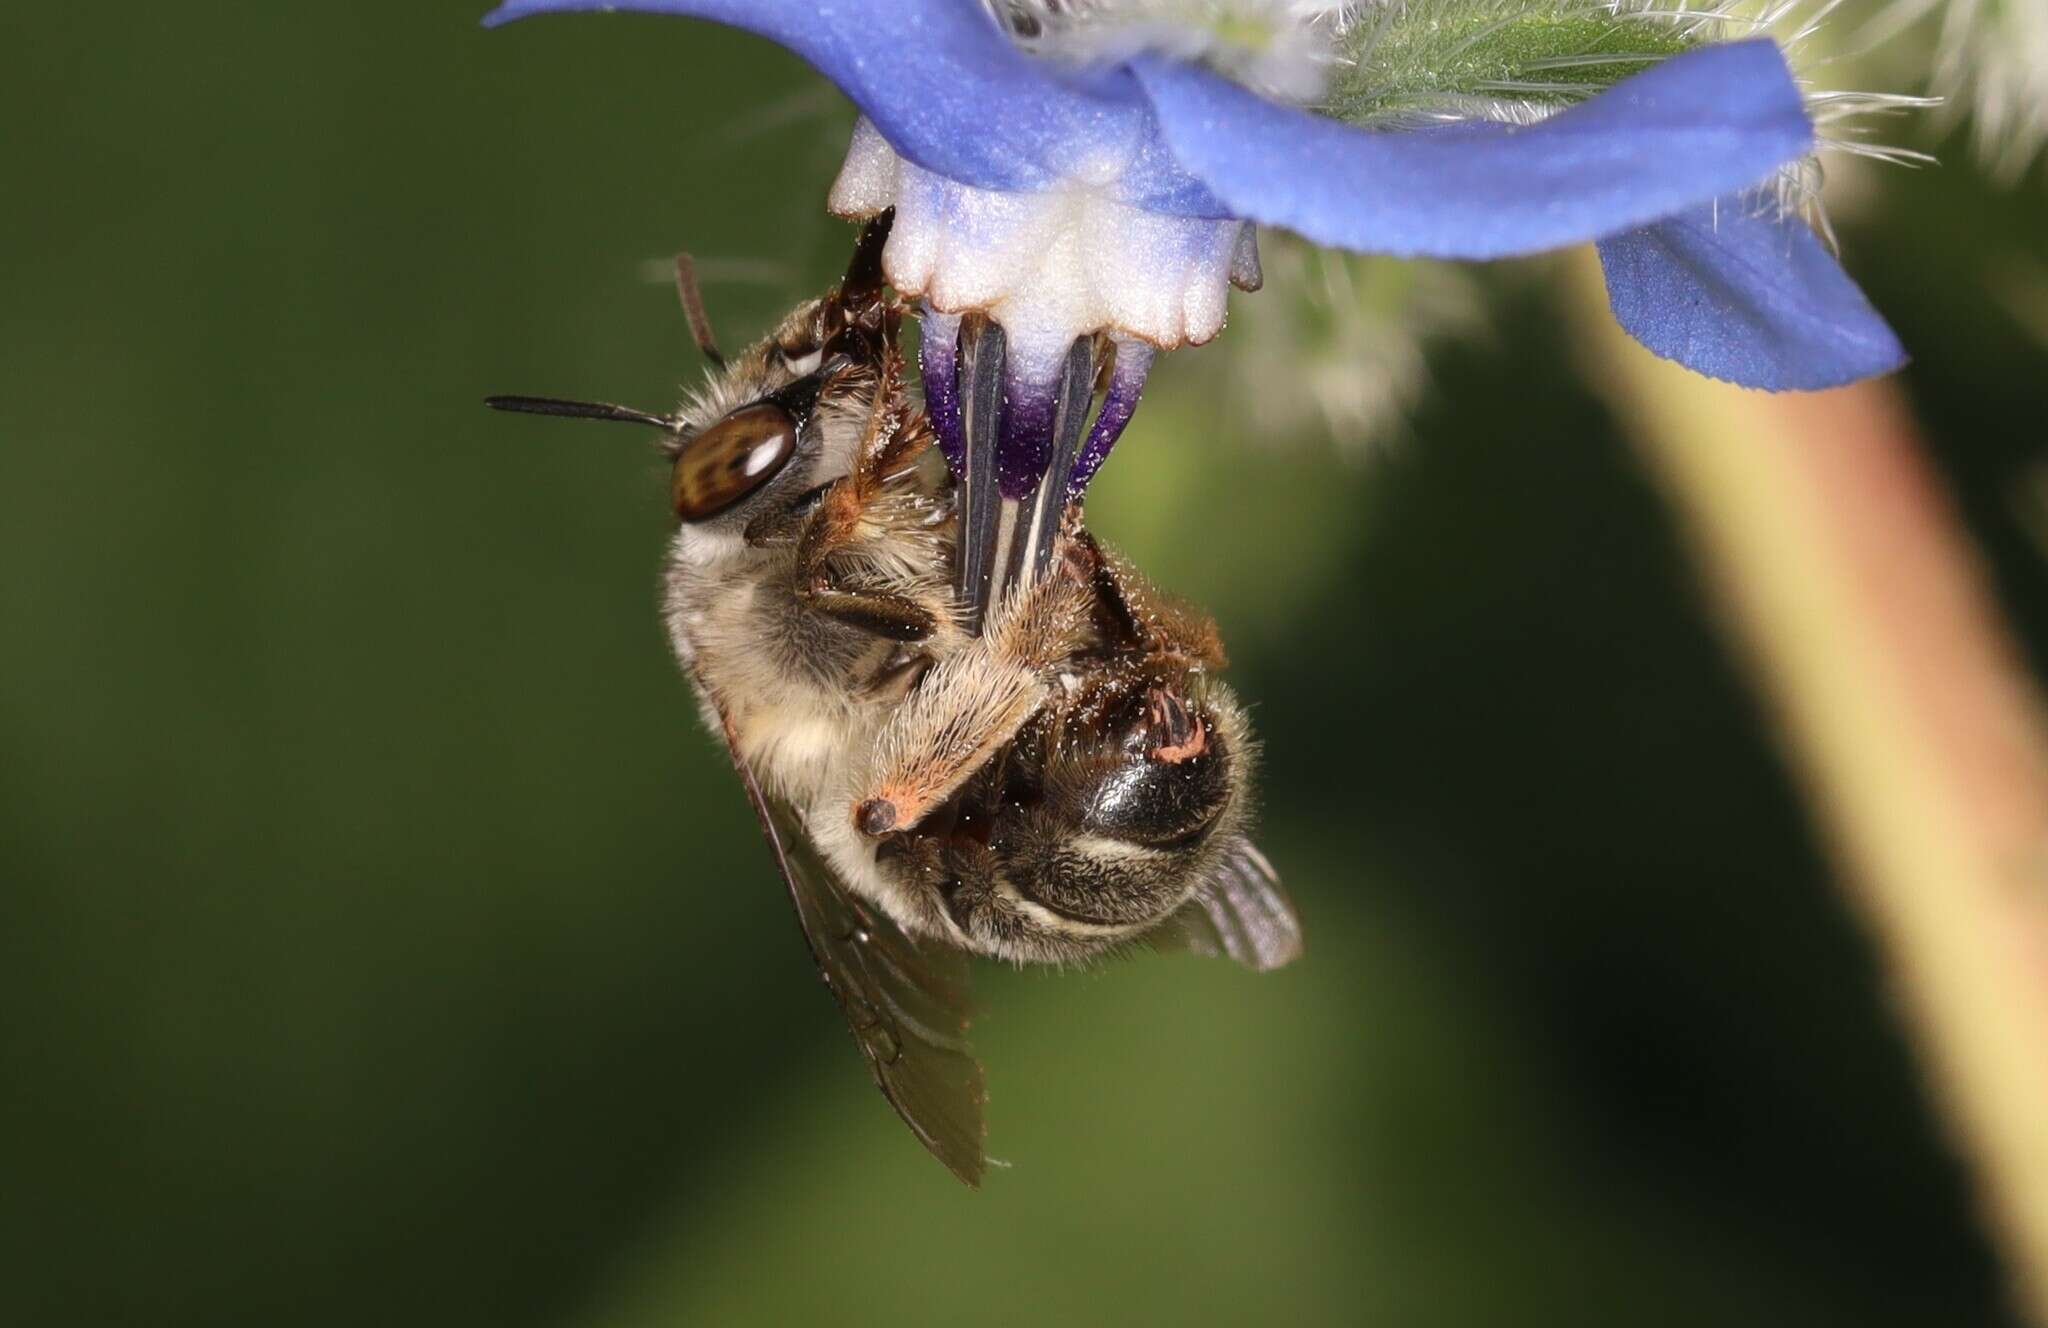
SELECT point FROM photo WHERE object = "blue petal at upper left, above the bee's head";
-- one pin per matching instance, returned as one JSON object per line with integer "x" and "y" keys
{"x": 943, "y": 85}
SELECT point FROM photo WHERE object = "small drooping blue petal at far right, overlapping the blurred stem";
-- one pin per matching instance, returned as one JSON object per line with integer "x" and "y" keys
{"x": 1748, "y": 300}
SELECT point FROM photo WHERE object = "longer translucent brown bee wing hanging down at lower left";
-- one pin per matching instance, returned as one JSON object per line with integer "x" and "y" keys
{"x": 906, "y": 1003}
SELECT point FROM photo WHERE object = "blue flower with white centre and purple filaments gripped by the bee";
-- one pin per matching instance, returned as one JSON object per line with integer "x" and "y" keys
{"x": 1119, "y": 196}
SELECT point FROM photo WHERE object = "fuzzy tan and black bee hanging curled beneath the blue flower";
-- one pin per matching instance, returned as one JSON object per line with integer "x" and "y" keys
{"x": 1052, "y": 780}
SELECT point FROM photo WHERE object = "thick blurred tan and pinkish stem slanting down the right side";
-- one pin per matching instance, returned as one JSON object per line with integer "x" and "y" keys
{"x": 1859, "y": 601}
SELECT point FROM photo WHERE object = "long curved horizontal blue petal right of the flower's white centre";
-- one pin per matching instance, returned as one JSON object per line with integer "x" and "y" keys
{"x": 1687, "y": 130}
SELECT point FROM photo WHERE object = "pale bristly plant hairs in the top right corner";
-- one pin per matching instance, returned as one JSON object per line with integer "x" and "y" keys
{"x": 1992, "y": 65}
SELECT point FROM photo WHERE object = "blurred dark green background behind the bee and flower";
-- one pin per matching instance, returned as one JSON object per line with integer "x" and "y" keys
{"x": 384, "y": 942}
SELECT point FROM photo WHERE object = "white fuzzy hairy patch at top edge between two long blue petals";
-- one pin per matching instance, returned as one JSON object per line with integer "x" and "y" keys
{"x": 1277, "y": 48}
